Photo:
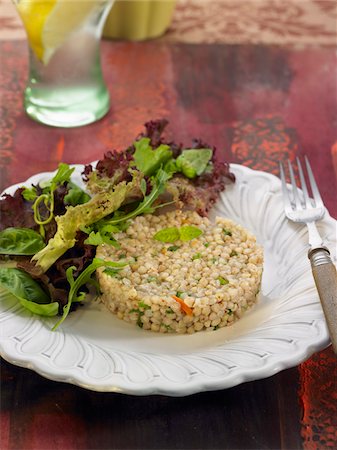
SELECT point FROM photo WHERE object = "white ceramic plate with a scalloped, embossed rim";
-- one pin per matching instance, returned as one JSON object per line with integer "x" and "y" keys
{"x": 95, "y": 350}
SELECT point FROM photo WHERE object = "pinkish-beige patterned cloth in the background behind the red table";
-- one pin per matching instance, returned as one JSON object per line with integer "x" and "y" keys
{"x": 280, "y": 22}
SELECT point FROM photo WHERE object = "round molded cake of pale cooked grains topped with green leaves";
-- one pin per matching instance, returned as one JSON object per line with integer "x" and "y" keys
{"x": 185, "y": 274}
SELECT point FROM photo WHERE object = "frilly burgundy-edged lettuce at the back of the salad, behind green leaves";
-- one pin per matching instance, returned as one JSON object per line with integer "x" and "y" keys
{"x": 198, "y": 193}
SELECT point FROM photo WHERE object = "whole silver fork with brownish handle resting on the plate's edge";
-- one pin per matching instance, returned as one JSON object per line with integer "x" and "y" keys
{"x": 299, "y": 207}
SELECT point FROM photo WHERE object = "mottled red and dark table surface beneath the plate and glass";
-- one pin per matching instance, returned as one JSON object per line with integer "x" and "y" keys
{"x": 260, "y": 105}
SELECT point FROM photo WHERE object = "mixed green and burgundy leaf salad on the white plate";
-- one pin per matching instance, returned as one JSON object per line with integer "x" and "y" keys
{"x": 49, "y": 232}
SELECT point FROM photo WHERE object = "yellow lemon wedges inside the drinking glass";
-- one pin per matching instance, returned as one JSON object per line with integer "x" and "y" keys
{"x": 49, "y": 23}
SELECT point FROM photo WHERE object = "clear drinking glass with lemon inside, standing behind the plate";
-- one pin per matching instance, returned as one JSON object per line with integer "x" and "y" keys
{"x": 65, "y": 85}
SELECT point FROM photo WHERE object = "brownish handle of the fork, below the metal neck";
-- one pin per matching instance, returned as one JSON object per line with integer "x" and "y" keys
{"x": 325, "y": 277}
